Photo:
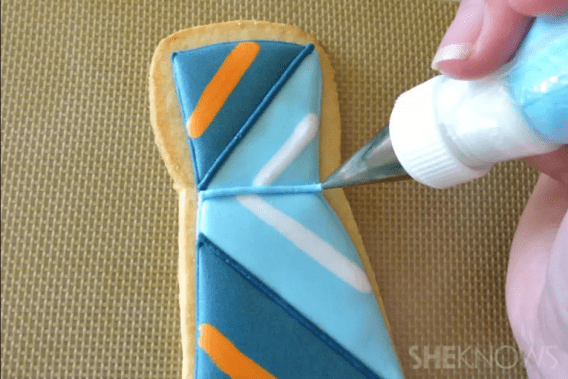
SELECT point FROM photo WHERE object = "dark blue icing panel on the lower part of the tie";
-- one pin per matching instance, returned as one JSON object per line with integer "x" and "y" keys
{"x": 262, "y": 325}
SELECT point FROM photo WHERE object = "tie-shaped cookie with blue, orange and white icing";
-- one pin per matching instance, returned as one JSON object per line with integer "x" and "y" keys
{"x": 272, "y": 283}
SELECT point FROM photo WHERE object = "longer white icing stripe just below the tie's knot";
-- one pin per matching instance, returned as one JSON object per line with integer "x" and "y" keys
{"x": 310, "y": 243}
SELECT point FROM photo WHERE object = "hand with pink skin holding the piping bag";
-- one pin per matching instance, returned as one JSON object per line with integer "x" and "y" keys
{"x": 485, "y": 35}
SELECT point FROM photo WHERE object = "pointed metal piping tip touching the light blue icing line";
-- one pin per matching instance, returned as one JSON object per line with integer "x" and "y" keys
{"x": 374, "y": 162}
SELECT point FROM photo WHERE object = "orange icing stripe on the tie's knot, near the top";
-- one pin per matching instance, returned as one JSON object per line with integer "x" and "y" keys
{"x": 221, "y": 86}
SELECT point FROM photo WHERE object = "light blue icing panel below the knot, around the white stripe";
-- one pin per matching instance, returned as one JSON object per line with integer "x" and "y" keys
{"x": 350, "y": 317}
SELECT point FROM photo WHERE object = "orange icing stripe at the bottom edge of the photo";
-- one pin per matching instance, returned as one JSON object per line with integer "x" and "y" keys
{"x": 227, "y": 357}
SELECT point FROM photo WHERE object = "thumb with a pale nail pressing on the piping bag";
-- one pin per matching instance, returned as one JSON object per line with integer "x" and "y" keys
{"x": 484, "y": 35}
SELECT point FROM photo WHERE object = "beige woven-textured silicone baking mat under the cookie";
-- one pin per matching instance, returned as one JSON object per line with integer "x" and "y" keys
{"x": 89, "y": 216}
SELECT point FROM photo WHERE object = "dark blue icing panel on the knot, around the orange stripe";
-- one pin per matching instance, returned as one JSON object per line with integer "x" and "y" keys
{"x": 194, "y": 69}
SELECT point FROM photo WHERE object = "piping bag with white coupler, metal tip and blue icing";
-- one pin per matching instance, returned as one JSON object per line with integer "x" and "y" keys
{"x": 444, "y": 131}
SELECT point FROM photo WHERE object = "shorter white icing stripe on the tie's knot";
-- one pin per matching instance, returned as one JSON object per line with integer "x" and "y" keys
{"x": 305, "y": 131}
